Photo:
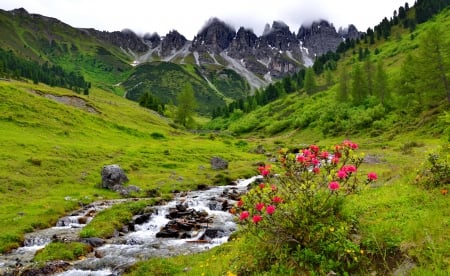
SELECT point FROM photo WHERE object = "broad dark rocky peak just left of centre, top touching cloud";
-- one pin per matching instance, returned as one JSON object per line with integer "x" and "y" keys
{"x": 215, "y": 37}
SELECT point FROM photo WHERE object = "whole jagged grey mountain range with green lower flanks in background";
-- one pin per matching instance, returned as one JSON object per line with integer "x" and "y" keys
{"x": 220, "y": 63}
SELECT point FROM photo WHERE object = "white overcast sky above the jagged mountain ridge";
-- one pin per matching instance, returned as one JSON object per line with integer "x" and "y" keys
{"x": 189, "y": 16}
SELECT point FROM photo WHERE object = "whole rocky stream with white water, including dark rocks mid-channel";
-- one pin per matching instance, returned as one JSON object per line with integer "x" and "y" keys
{"x": 149, "y": 238}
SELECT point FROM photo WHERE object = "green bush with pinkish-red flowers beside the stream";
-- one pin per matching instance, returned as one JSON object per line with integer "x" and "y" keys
{"x": 296, "y": 212}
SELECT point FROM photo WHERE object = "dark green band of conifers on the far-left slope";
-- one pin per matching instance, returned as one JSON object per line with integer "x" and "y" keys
{"x": 14, "y": 67}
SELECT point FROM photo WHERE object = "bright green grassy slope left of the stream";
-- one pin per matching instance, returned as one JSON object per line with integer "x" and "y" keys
{"x": 52, "y": 154}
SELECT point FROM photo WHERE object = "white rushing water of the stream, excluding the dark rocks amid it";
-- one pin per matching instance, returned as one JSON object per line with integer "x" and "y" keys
{"x": 141, "y": 244}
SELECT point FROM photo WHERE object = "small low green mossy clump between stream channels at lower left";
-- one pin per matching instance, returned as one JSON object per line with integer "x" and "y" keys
{"x": 62, "y": 251}
